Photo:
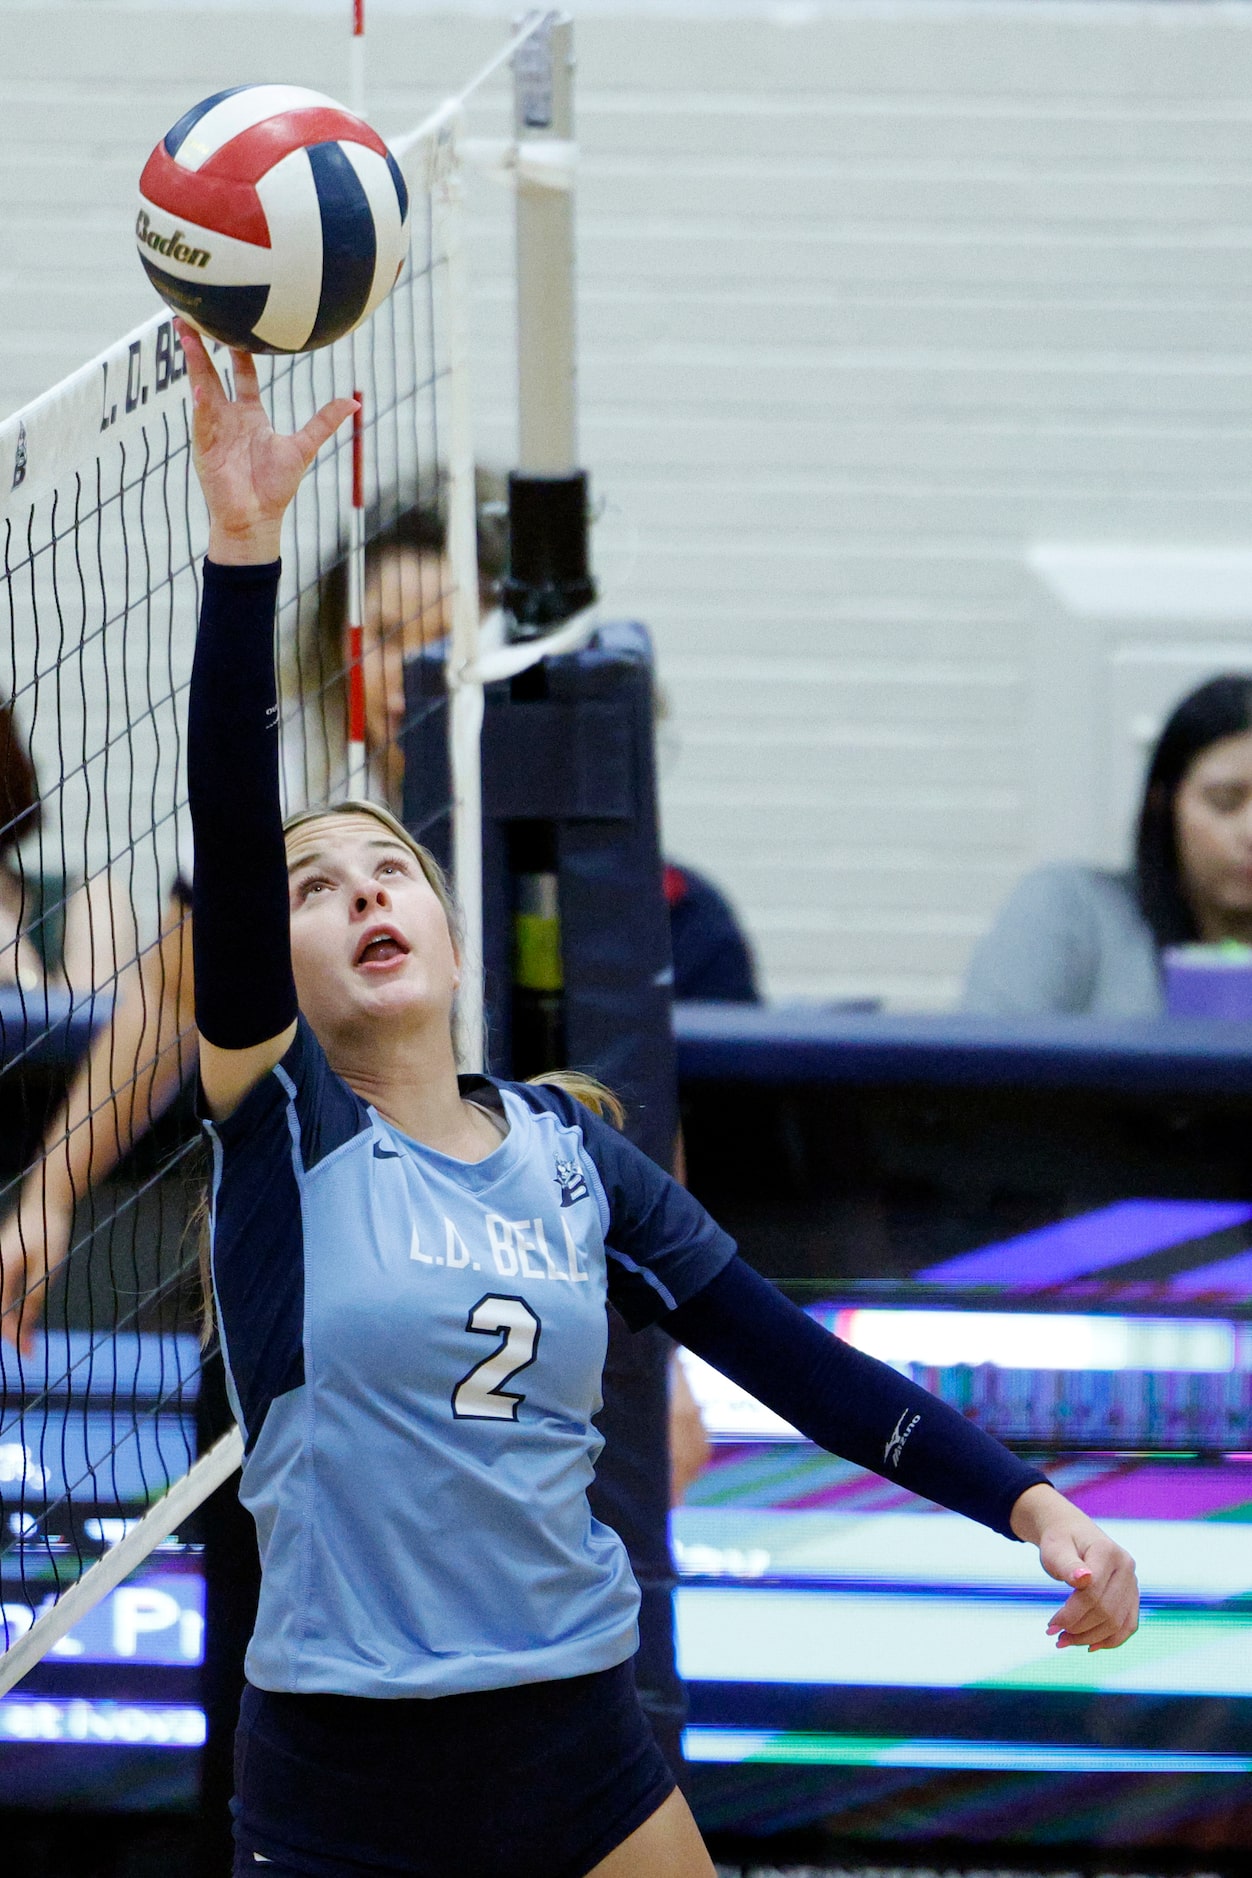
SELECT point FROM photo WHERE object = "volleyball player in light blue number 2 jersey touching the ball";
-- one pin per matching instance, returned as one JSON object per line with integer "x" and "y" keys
{"x": 410, "y": 1276}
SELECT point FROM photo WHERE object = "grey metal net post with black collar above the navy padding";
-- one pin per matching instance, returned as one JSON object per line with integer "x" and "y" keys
{"x": 549, "y": 572}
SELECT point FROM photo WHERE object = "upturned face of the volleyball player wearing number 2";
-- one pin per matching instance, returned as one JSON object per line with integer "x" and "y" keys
{"x": 369, "y": 934}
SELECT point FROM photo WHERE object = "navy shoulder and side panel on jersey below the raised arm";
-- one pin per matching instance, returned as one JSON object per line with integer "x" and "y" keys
{"x": 294, "y": 1118}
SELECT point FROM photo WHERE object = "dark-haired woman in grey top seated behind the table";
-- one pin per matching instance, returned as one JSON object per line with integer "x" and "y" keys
{"x": 1088, "y": 940}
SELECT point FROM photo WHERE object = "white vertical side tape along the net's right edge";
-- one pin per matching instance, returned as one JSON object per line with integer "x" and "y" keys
{"x": 463, "y": 546}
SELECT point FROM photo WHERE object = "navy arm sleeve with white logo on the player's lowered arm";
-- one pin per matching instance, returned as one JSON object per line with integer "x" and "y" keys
{"x": 849, "y": 1402}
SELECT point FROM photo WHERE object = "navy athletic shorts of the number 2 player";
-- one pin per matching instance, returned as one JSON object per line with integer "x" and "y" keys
{"x": 540, "y": 1781}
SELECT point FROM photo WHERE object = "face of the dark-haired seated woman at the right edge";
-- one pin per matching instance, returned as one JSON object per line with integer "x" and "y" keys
{"x": 1214, "y": 827}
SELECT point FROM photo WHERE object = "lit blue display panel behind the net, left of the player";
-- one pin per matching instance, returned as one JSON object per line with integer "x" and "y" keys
{"x": 112, "y": 1716}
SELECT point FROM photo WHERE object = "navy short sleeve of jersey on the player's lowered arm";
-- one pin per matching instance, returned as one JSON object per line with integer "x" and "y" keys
{"x": 662, "y": 1246}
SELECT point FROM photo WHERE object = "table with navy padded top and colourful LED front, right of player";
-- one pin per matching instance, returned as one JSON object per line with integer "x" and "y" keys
{"x": 1050, "y": 1229}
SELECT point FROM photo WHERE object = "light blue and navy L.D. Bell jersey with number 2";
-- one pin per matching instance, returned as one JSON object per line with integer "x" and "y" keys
{"x": 414, "y": 1349}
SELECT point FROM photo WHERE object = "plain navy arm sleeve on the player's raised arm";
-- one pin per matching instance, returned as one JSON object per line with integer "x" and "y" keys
{"x": 245, "y": 991}
